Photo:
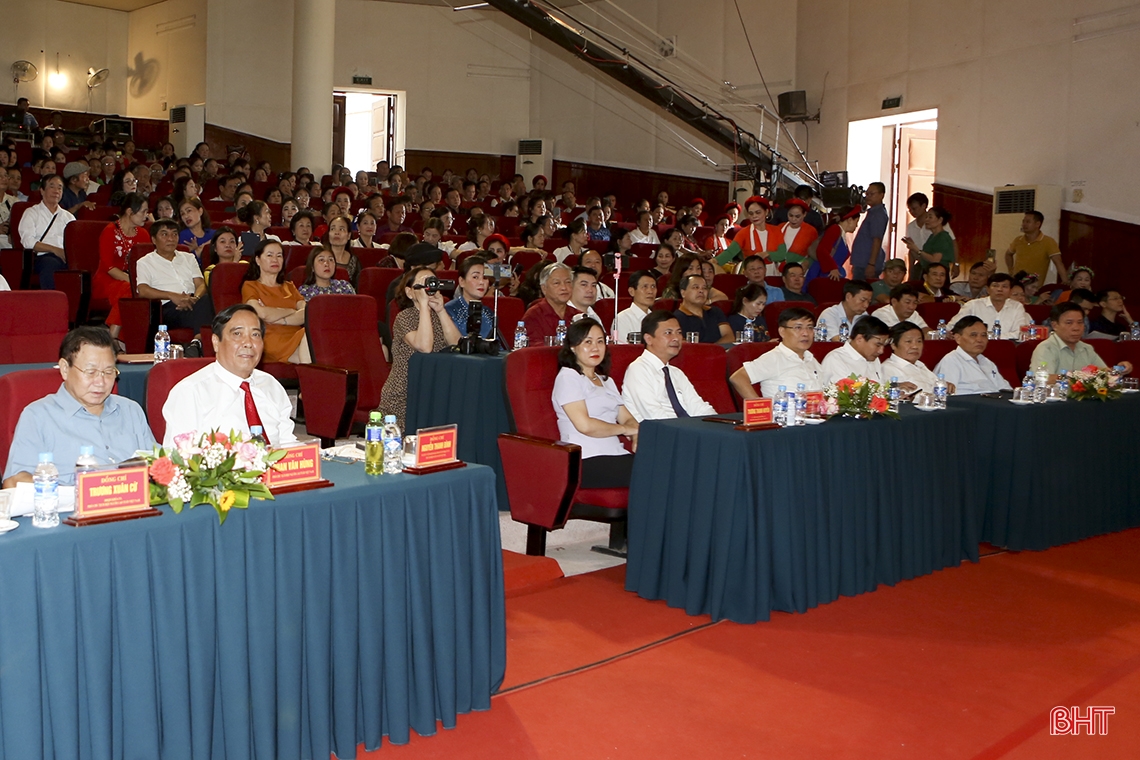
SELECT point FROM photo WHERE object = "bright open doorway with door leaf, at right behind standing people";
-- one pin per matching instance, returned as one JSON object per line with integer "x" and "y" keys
{"x": 900, "y": 152}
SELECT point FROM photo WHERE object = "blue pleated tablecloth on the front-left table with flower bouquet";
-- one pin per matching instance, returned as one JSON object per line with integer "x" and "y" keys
{"x": 302, "y": 627}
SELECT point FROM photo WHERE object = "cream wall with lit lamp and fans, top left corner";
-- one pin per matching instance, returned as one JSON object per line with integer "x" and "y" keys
{"x": 85, "y": 37}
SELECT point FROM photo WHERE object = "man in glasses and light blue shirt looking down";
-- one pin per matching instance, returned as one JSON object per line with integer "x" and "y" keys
{"x": 82, "y": 413}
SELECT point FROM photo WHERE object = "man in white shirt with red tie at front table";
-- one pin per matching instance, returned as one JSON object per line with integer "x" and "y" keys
{"x": 232, "y": 394}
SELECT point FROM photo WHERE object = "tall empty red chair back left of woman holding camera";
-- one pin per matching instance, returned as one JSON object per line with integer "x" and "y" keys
{"x": 343, "y": 333}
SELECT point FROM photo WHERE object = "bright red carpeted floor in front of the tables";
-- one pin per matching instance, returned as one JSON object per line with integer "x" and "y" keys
{"x": 963, "y": 664}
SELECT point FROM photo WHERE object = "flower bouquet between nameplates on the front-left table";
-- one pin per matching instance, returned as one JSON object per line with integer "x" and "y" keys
{"x": 213, "y": 468}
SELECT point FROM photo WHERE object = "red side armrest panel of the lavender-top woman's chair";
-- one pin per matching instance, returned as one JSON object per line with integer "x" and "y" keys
{"x": 542, "y": 501}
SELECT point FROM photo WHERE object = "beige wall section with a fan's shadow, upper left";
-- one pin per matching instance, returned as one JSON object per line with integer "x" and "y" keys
{"x": 167, "y": 68}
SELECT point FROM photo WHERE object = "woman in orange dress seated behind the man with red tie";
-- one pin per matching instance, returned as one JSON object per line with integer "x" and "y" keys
{"x": 279, "y": 303}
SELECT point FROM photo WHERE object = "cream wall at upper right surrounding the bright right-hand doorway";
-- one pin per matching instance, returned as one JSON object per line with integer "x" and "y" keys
{"x": 1019, "y": 101}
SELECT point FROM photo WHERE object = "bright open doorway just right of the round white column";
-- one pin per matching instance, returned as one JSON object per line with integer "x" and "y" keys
{"x": 364, "y": 129}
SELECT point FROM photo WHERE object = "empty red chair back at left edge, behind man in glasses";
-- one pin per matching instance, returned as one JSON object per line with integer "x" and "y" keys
{"x": 32, "y": 326}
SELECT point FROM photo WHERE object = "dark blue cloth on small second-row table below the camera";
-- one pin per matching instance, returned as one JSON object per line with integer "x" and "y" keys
{"x": 469, "y": 391}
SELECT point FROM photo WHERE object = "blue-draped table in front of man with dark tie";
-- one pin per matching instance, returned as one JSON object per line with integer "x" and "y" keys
{"x": 737, "y": 525}
